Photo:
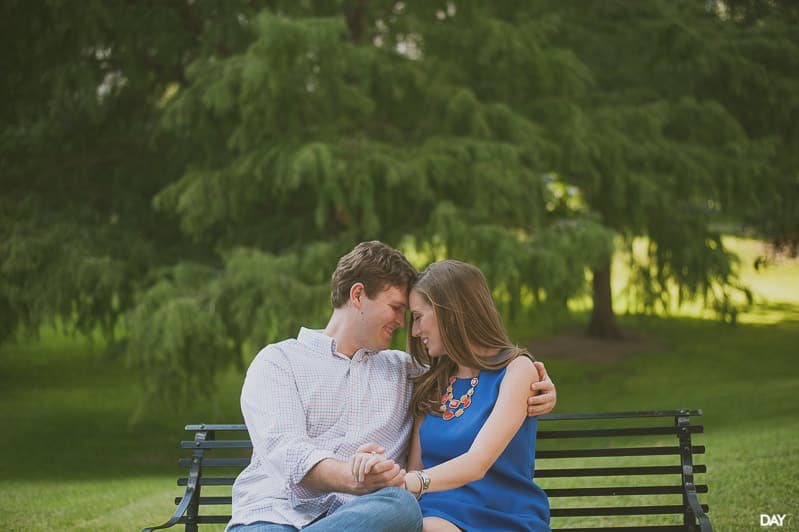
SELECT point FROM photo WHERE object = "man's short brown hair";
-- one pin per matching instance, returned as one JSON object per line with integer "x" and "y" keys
{"x": 374, "y": 264}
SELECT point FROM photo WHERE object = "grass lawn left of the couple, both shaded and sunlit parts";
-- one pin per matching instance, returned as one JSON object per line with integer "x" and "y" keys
{"x": 71, "y": 459}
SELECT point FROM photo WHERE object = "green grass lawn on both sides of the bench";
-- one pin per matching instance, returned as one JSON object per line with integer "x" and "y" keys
{"x": 72, "y": 461}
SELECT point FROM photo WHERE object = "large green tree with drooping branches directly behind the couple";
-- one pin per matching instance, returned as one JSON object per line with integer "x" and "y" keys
{"x": 373, "y": 122}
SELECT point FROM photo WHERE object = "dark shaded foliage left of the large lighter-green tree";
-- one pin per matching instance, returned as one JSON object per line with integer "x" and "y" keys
{"x": 83, "y": 154}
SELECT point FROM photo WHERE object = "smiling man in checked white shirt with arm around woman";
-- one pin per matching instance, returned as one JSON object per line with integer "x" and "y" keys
{"x": 311, "y": 402}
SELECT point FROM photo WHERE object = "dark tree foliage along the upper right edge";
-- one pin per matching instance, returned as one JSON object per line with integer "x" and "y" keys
{"x": 757, "y": 79}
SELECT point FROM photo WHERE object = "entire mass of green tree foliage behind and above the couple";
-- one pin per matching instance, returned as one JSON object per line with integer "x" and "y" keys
{"x": 198, "y": 167}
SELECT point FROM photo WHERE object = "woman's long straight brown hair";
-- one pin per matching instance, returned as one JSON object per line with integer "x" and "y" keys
{"x": 467, "y": 319}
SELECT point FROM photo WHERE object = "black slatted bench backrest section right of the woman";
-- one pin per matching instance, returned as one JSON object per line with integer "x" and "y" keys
{"x": 622, "y": 469}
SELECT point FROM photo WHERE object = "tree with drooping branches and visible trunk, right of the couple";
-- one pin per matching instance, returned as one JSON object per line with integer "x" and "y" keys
{"x": 656, "y": 148}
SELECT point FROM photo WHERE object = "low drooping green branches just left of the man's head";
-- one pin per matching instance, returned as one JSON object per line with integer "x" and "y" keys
{"x": 196, "y": 320}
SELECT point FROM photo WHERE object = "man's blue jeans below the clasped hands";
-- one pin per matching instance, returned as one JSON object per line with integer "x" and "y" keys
{"x": 386, "y": 510}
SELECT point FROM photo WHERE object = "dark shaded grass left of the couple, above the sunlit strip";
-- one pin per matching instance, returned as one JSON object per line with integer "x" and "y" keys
{"x": 66, "y": 411}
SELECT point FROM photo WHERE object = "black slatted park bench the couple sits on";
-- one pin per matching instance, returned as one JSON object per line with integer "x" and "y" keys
{"x": 606, "y": 471}
